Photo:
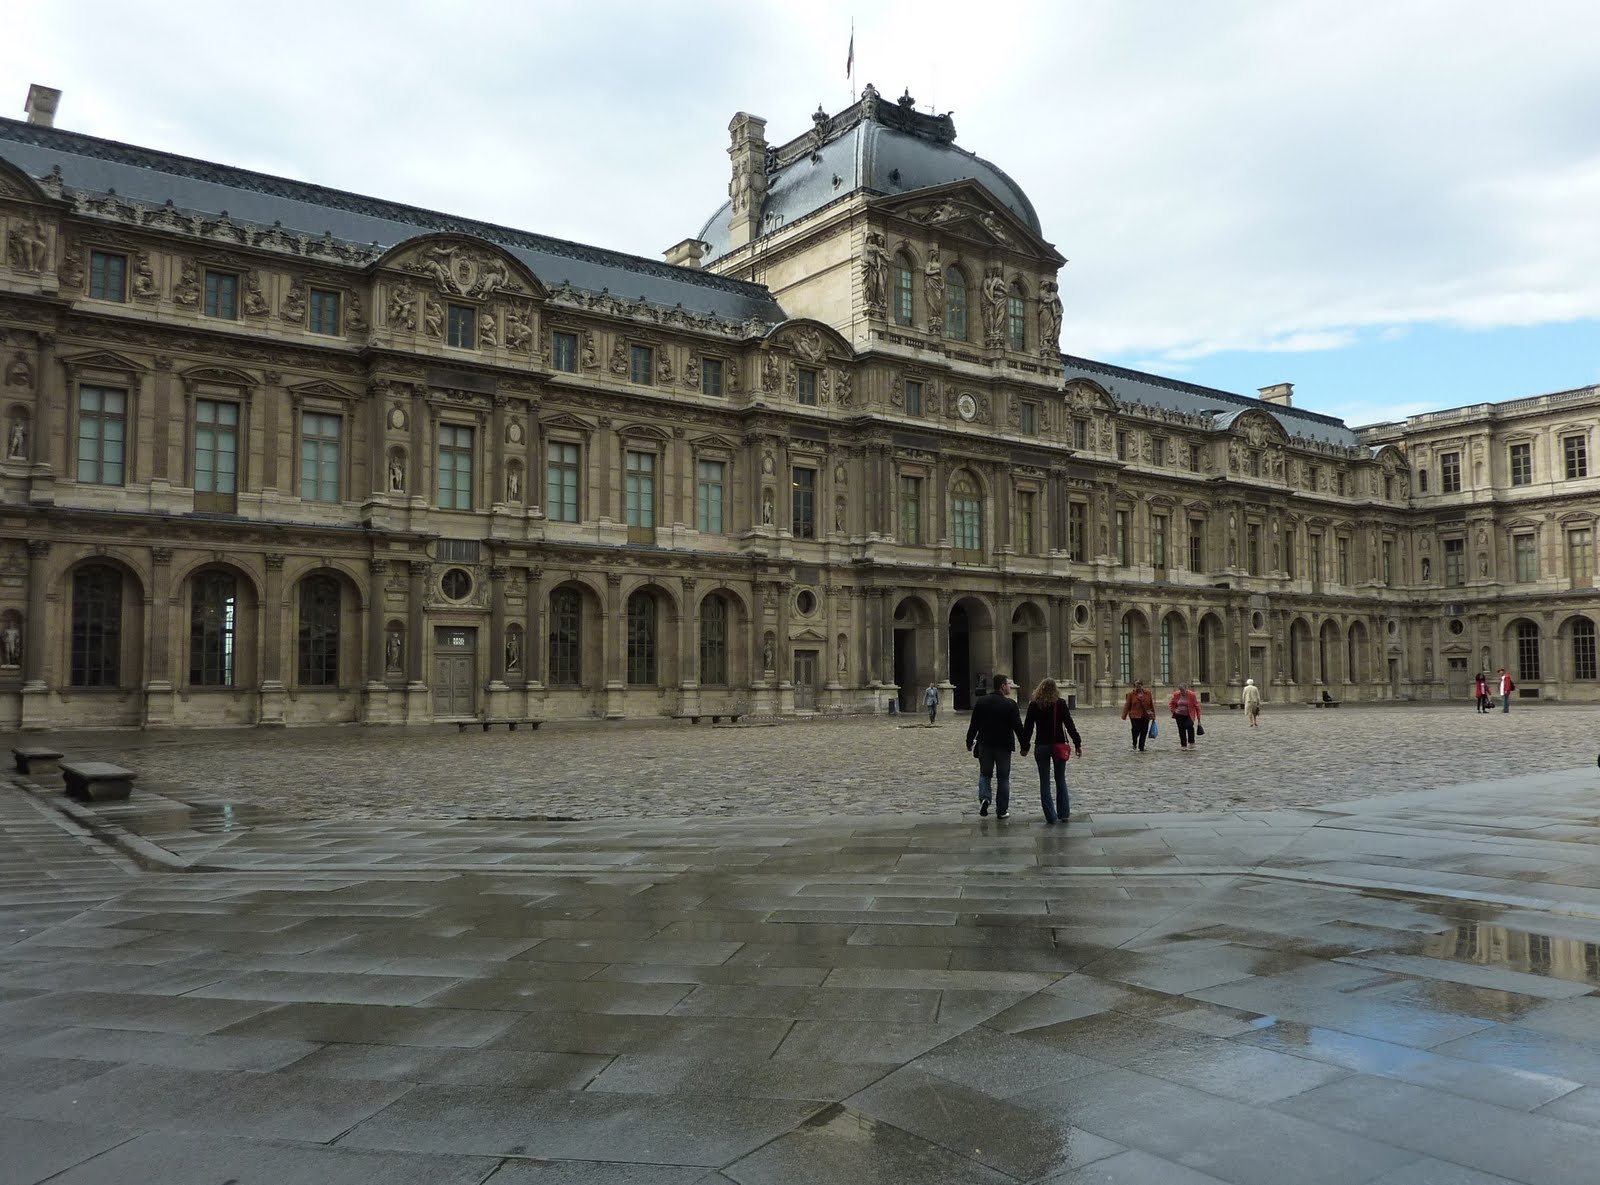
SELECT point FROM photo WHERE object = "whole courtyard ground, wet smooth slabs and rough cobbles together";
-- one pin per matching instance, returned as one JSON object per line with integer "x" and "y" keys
{"x": 1356, "y": 946}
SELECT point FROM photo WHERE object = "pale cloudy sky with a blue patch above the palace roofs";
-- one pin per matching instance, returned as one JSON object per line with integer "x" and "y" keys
{"x": 1390, "y": 204}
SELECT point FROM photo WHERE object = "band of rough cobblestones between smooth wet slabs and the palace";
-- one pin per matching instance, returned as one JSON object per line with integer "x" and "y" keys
{"x": 1298, "y": 757}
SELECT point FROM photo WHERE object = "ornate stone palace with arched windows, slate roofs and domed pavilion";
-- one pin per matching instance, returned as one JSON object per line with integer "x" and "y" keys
{"x": 281, "y": 455}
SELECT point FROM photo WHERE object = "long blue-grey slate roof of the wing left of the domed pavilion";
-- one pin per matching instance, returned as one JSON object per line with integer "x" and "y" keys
{"x": 94, "y": 166}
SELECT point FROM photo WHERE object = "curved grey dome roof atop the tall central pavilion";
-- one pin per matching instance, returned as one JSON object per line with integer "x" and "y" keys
{"x": 876, "y": 146}
